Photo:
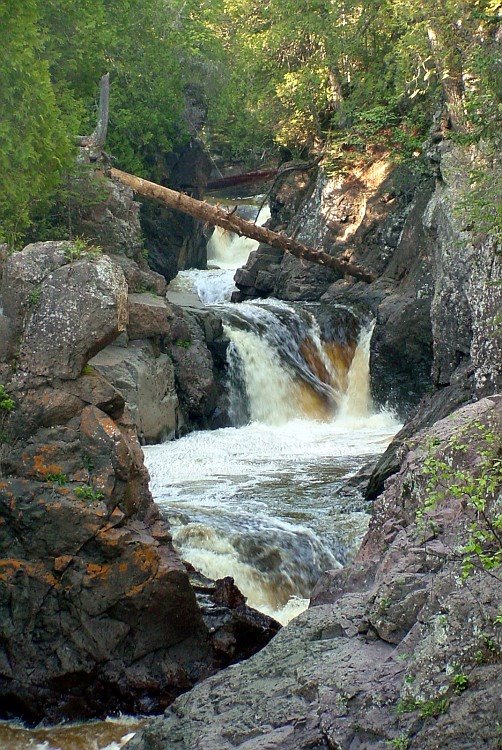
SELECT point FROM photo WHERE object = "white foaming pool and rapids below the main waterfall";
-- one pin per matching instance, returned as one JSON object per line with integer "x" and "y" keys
{"x": 256, "y": 502}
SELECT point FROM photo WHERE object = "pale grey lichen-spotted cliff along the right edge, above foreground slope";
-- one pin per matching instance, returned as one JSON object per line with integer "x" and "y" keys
{"x": 465, "y": 300}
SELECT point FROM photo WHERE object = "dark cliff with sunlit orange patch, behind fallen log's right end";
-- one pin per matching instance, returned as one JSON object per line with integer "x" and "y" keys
{"x": 373, "y": 217}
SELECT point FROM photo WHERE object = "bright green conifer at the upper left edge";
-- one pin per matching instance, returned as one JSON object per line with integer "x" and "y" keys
{"x": 34, "y": 132}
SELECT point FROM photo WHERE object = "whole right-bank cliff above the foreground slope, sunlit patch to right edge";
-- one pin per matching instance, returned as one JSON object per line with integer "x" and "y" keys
{"x": 435, "y": 297}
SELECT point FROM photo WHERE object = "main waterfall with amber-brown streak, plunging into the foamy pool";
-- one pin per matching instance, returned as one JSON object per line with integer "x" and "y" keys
{"x": 282, "y": 367}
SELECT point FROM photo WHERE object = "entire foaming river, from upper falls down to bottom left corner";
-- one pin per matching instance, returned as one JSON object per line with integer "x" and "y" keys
{"x": 261, "y": 500}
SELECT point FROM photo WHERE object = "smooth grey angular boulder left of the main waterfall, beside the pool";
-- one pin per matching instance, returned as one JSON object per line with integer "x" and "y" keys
{"x": 146, "y": 382}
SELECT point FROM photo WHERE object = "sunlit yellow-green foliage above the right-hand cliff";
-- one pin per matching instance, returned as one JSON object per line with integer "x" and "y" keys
{"x": 360, "y": 76}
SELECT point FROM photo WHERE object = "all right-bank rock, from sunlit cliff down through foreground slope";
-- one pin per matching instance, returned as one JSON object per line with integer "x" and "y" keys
{"x": 401, "y": 648}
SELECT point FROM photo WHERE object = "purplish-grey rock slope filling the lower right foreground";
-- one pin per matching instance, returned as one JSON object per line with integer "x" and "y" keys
{"x": 382, "y": 658}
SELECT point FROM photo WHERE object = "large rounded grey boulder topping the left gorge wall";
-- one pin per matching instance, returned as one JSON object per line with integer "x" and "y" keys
{"x": 79, "y": 309}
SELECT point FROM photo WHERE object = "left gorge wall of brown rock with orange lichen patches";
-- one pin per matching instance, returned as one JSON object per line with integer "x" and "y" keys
{"x": 97, "y": 611}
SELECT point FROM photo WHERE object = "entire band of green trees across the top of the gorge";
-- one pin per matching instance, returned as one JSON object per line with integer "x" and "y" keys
{"x": 361, "y": 77}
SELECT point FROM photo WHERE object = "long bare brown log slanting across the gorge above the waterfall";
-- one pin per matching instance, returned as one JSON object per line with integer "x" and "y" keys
{"x": 219, "y": 217}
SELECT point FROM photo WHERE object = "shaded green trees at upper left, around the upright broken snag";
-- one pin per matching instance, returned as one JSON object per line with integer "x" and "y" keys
{"x": 52, "y": 56}
